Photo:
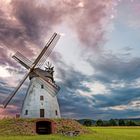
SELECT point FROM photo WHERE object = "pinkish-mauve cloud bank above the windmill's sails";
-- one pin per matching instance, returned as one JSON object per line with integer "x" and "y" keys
{"x": 25, "y": 24}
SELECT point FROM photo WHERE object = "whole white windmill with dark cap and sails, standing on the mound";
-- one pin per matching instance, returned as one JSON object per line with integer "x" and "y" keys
{"x": 40, "y": 99}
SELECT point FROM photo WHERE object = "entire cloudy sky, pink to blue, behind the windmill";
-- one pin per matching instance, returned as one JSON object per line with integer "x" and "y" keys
{"x": 97, "y": 62}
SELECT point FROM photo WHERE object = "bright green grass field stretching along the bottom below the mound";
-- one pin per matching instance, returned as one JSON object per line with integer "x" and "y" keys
{"x": 98, "y": 133}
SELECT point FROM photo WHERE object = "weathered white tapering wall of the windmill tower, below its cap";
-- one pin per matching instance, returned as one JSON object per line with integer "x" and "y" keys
{"x": 33, "y": 104}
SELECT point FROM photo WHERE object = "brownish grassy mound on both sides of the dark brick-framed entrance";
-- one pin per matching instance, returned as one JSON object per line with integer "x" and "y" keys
{"x": 19, "y": 126}
